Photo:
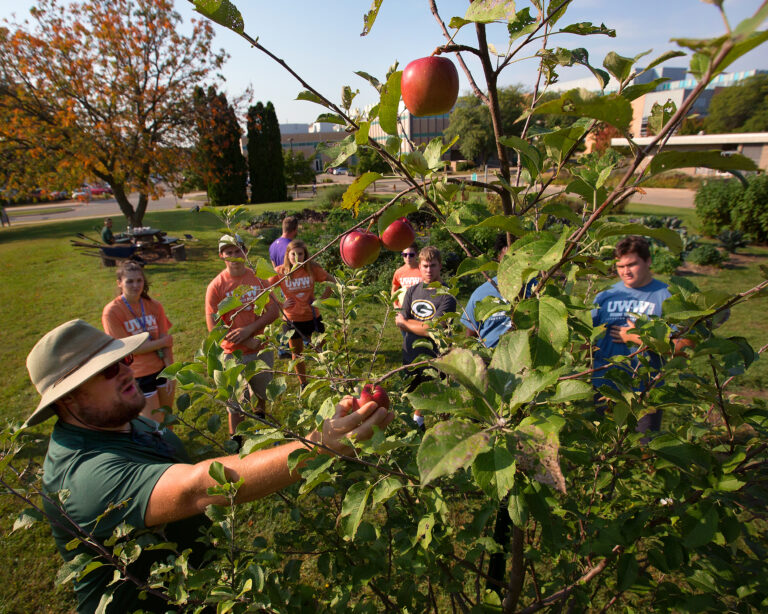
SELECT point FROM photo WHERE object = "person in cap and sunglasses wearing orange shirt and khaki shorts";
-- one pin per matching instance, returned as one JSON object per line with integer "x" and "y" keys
{"x": 245, "y": 322}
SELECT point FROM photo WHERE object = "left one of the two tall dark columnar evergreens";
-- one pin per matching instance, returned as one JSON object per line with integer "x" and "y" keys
{"x": 219, "y": 159}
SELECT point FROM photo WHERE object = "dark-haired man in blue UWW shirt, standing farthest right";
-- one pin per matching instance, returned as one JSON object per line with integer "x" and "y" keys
{"x": 636, "y": 294}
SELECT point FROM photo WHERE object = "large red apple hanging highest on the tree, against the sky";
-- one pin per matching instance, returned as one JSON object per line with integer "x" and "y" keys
{"x": 430, "y": 86}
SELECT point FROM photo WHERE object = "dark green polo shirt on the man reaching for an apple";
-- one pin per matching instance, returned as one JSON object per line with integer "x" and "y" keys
{"x": 102, "y": 469}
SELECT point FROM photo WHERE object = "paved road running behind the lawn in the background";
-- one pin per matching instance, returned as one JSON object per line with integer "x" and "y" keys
{"x": 100, "y": 208}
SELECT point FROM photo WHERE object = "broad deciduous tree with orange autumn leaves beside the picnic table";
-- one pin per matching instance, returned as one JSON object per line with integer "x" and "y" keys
{"x": 101, "y": 89}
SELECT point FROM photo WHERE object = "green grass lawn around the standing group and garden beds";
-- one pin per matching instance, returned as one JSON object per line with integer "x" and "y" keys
{"x": 46, "y": 282}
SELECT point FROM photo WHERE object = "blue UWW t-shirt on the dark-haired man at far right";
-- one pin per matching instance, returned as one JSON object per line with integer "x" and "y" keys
{"x": 615, "y": 306}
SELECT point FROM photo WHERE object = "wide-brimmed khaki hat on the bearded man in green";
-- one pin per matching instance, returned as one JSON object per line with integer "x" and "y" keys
{"x": 68, "y": 356}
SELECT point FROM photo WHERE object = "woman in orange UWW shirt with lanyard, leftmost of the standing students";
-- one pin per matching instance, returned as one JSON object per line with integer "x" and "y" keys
{"x": 132, "y": 313}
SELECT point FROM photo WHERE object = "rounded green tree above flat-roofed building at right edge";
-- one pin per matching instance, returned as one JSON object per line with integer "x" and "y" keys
{"x": 739, "y": 108}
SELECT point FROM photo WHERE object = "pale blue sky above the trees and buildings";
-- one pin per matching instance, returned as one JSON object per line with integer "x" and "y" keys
{"x": 322, "y": 42}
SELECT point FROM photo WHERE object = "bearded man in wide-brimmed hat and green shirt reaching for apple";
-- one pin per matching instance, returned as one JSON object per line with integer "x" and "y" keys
{"x": 116, "y": 467}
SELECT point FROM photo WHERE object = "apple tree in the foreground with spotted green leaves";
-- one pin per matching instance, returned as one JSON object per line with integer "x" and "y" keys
{"x": 522, "y": 495}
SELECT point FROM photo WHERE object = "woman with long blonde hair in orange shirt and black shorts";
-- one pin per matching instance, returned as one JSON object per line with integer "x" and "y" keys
{"x": 299, "y": 291}
